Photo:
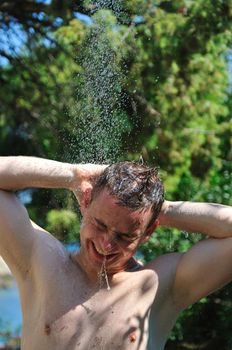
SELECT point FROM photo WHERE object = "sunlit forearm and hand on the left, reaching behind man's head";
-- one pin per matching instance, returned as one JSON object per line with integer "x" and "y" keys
{"x": 30, "y": 172}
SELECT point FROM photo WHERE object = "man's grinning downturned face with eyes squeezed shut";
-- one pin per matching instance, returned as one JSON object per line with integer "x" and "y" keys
{"x": 111, "y": 232}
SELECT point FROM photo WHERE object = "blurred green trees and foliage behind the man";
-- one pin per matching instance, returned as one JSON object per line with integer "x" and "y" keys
{"x": 108, "y": 80}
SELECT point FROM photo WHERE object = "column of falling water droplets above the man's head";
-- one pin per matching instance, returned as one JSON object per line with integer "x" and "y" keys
{"x": 98, "y": 117}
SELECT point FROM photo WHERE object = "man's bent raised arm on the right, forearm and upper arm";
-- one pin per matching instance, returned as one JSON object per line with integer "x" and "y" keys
{"x": 207, "y": 265}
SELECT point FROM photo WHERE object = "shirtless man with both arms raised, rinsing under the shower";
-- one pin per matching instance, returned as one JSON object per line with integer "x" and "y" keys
{"x": 66, "y": 305}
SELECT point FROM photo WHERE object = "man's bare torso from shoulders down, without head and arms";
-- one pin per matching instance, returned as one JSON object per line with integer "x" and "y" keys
{"x": 63, "y": 310}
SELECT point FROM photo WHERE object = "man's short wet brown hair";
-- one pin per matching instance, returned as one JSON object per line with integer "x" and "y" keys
{"x": 134, "y": 185}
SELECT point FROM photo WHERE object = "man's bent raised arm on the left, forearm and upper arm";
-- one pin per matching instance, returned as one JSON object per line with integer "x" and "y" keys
{"x": 17, "y": 233}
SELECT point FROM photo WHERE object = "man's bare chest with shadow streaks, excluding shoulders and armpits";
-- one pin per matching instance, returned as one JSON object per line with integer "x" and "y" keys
{"x": 80, "y": 318}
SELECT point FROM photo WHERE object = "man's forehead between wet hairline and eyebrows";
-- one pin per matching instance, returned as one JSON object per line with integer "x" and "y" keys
{"x": 104, "y": 207}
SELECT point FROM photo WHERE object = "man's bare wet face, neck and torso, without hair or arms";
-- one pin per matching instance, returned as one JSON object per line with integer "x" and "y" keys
{"x": 63, "y": 306}
